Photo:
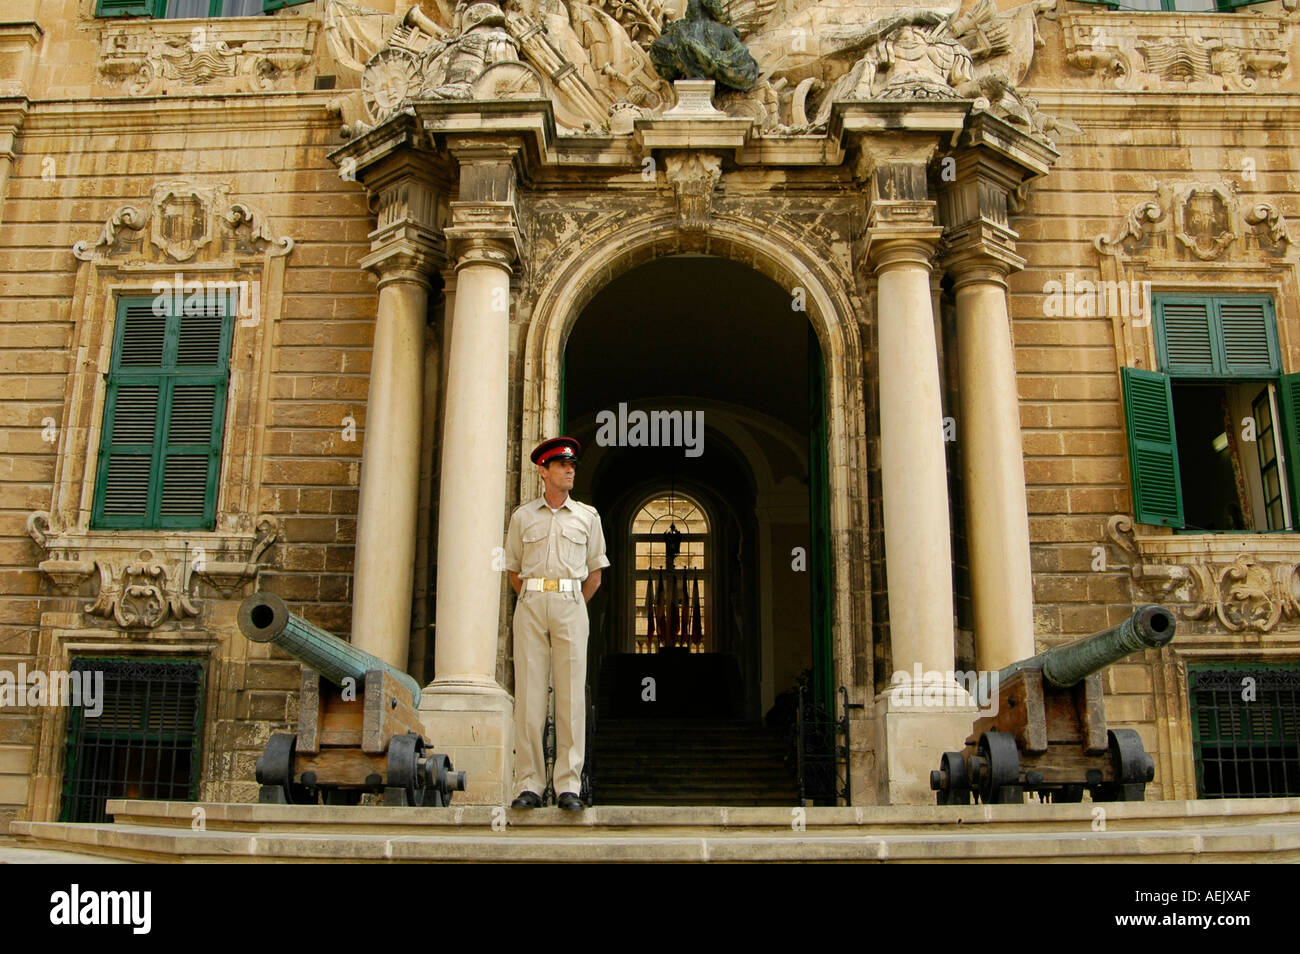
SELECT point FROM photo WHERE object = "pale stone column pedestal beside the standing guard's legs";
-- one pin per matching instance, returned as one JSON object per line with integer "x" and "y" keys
{"x": 475, "y": 727}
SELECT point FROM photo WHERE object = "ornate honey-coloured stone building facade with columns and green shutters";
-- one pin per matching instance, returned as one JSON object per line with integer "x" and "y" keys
{"x": 902, "y": 283}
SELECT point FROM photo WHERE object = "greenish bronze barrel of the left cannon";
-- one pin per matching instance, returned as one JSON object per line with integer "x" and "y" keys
{"x": 265, "y": 618}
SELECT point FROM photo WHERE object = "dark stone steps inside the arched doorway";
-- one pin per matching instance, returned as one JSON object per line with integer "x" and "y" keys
{"x": 642, "y": 762}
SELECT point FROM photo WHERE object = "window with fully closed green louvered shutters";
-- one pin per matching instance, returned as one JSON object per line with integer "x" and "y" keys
{"x": 161, "y": 448}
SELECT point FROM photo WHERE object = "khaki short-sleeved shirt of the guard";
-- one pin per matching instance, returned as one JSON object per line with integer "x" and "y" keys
{"x": 556, "y": 547}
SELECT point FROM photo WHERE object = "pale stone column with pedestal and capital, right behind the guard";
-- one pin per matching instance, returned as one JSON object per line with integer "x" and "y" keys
{"x": 465, "y": 710}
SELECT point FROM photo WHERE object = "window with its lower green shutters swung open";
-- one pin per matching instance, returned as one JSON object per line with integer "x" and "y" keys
{"x": 1215, "y": 435}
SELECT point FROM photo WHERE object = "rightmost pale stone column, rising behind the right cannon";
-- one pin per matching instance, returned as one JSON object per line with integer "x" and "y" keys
{"x": 998, "y": 528}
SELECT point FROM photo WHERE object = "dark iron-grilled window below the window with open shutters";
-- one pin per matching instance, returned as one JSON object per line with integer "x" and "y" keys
{"x": 1246, "y": 727}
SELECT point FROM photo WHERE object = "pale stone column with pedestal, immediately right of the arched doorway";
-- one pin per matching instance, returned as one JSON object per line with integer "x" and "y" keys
{"x": 924, "y": 713}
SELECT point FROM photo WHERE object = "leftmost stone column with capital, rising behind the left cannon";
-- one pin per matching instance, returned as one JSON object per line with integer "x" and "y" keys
{"x": 405, "y": 254}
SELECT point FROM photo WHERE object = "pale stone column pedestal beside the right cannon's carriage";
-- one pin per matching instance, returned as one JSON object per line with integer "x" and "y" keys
{"x": 916, "y": 725}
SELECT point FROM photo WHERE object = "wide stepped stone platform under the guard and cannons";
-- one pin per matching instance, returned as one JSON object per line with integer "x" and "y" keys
{"x": 1249, "y": 830}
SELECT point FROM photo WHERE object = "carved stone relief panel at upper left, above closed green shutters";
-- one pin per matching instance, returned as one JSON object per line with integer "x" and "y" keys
{"x": 161, "y": 57}
